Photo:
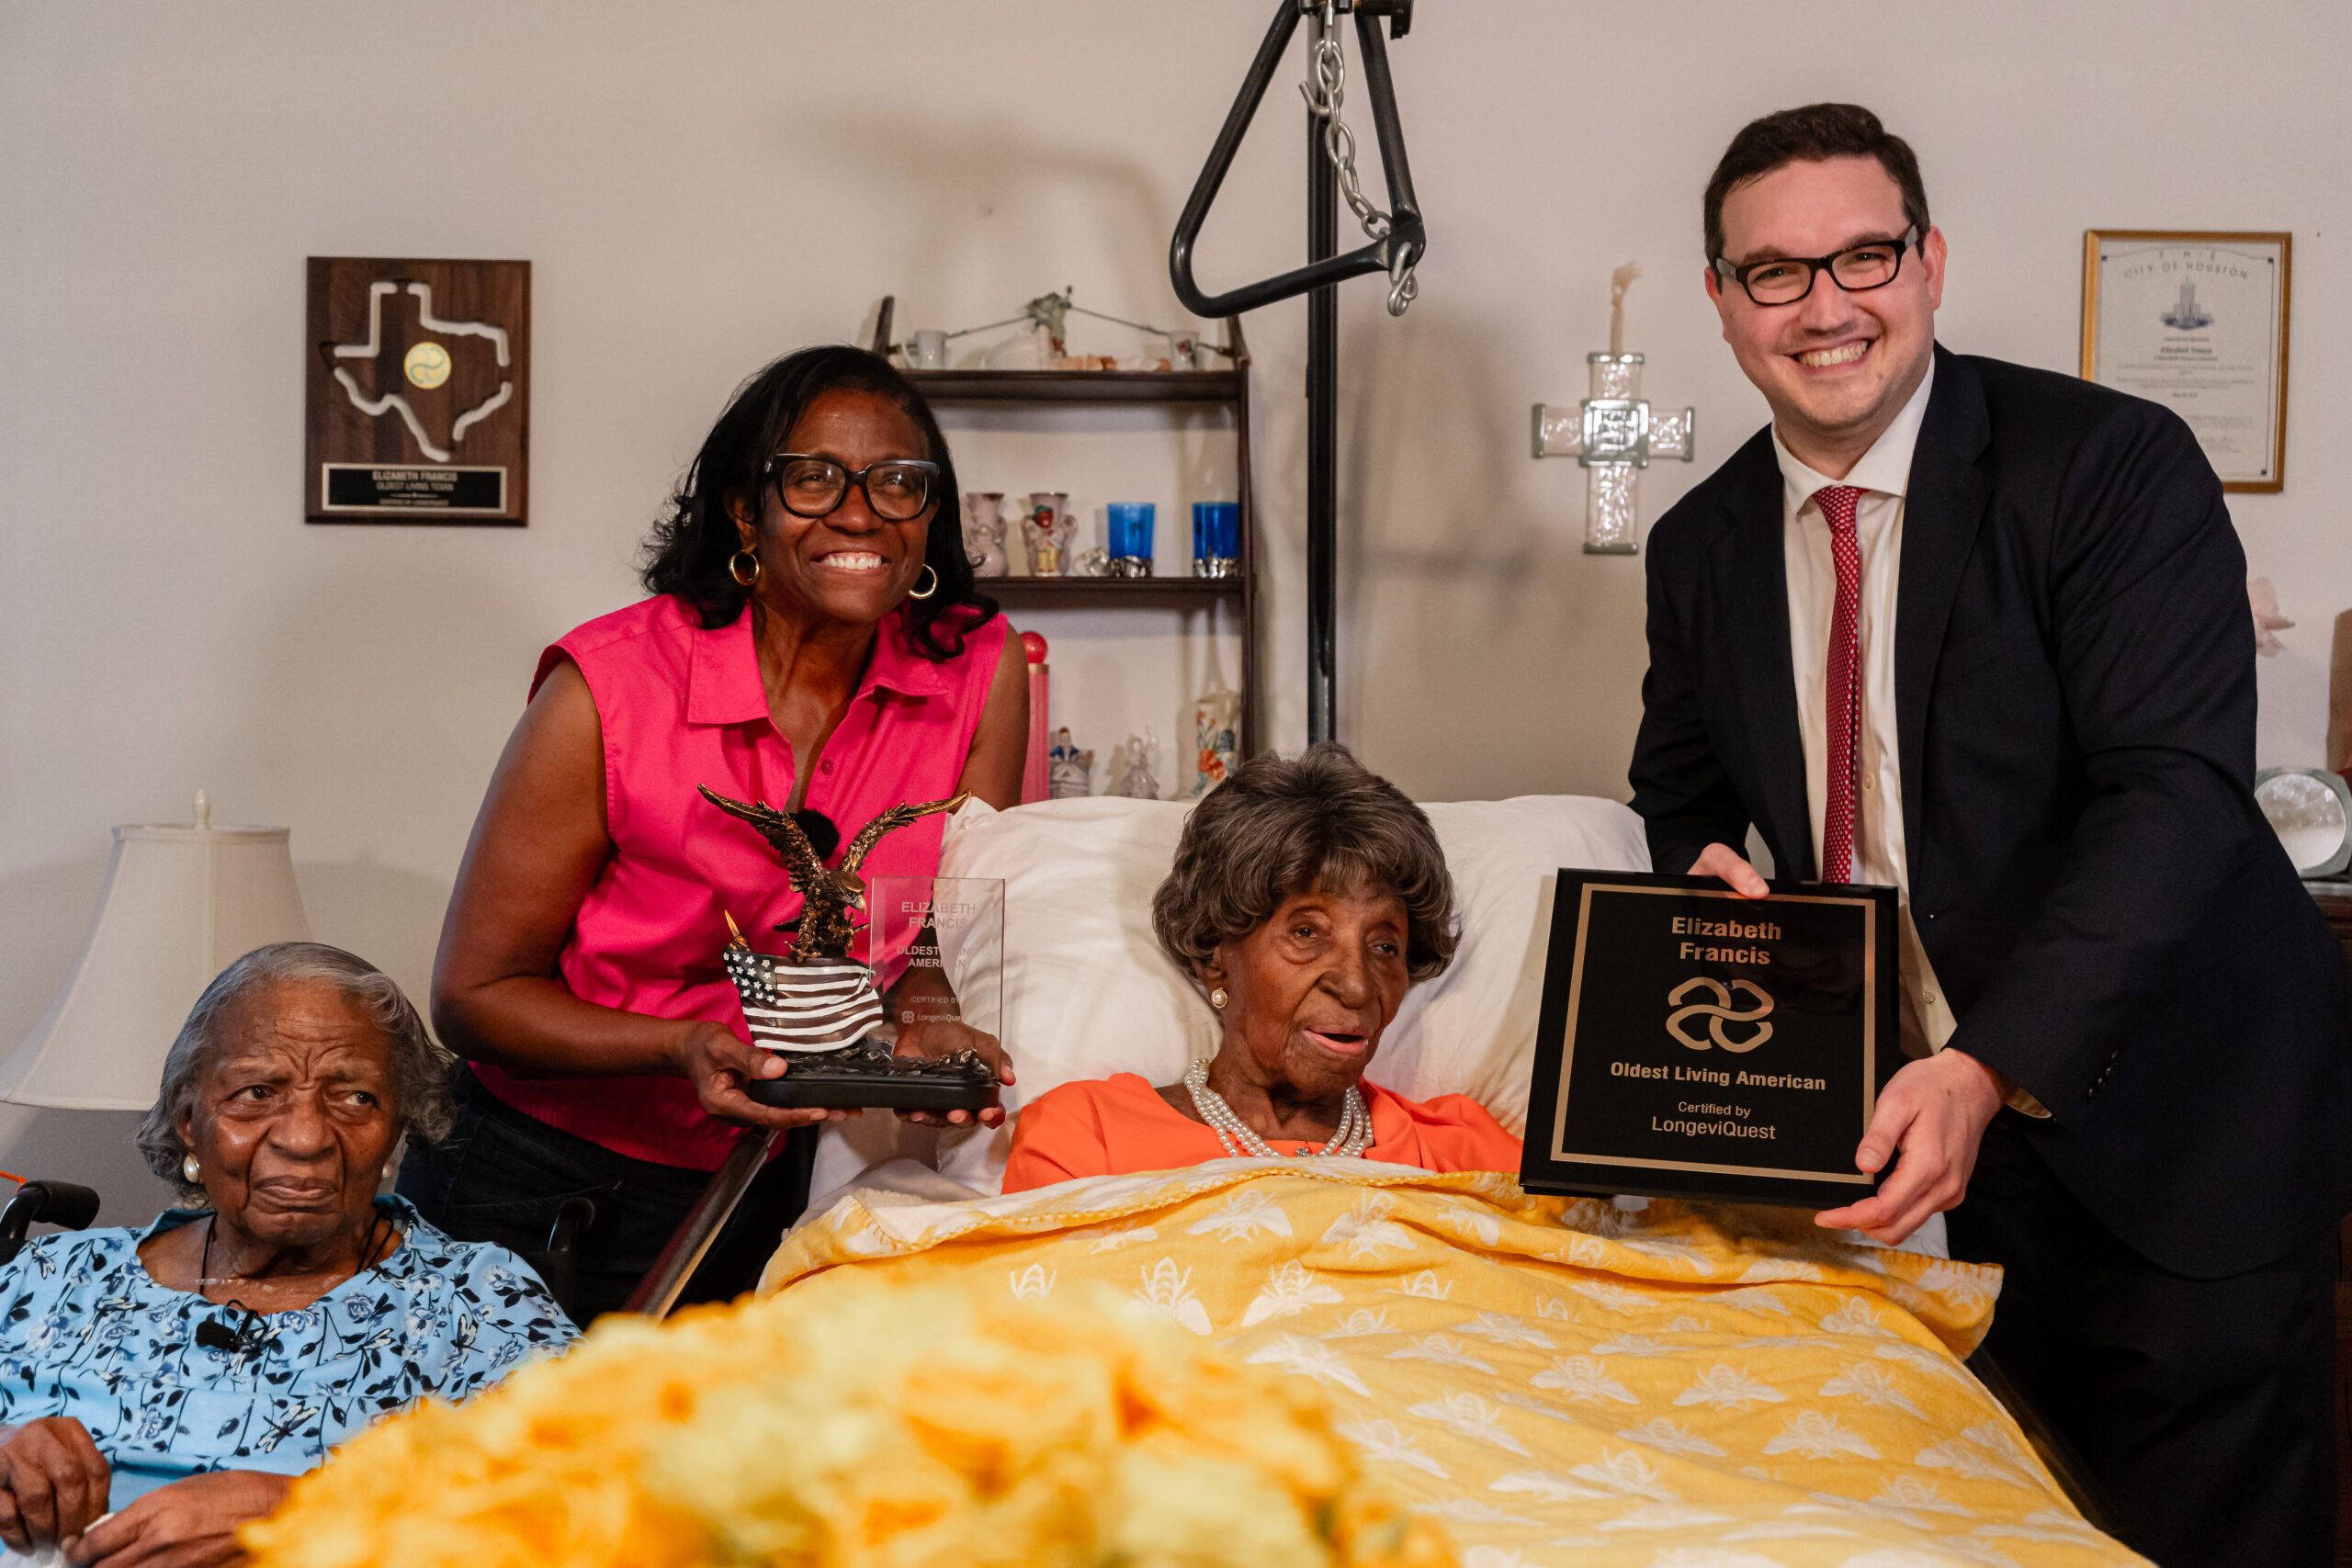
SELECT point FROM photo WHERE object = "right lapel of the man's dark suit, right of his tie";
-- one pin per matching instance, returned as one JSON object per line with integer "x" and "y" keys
{"x": 1942, "y": 514}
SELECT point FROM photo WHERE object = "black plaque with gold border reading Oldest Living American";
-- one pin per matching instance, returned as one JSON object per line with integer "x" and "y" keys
{"x": 1704, "y": 1045}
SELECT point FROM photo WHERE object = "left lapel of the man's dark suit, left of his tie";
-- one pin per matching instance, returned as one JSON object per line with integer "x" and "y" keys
{"x": 1753, "y": 587}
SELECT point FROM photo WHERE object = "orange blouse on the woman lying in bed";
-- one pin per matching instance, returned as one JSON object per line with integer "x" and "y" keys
{"x": 1118, "y": 1125}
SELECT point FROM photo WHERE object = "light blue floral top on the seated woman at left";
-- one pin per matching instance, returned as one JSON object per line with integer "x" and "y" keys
{"x": 86, "y": 1332}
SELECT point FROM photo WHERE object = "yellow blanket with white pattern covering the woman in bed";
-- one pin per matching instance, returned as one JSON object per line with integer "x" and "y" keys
{"x": 1553, "y": 1379}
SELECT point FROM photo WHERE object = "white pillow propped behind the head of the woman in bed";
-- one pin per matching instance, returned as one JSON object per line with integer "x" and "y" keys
{"x": 1088, "y": 991}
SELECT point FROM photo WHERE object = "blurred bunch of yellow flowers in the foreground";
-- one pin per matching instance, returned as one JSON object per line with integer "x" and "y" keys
{"x": 867, "y": 1428}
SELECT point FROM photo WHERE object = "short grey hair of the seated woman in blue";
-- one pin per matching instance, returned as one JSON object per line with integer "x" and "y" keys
{"x": 420, "y": 1064}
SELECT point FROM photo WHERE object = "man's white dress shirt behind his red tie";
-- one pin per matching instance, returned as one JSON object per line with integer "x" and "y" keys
{"x": 1883, "y": 476}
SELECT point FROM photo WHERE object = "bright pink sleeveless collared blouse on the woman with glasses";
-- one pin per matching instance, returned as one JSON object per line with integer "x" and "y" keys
{"x": 686, "y": 709}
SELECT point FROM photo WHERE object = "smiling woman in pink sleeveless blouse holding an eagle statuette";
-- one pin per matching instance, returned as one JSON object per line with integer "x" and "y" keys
{"x": 813, "y": 641}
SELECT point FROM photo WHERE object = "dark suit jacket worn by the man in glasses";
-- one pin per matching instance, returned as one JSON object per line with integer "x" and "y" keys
{"x": 2111, "y": 918}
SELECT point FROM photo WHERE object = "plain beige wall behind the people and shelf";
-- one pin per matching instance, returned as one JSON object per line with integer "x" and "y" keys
{"x": 707, "y": 185}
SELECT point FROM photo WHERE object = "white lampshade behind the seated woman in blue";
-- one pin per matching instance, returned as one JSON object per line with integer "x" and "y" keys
{"x": 180, "y": 906}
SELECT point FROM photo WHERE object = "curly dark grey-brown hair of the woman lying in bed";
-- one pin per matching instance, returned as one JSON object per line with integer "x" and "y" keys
{"x": 1288, "y": 826}
